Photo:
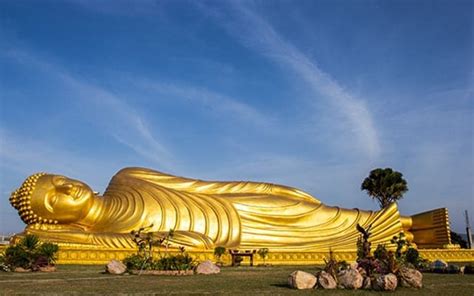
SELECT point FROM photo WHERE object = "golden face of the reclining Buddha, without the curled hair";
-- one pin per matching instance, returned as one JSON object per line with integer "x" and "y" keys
{"x": 62, "y": 199}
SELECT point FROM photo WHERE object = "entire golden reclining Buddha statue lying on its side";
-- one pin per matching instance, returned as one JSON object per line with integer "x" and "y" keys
{"x": 204, "y": 214}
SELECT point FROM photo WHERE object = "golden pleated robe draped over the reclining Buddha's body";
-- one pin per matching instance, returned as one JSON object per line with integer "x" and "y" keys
{"x": 238, "y": 214}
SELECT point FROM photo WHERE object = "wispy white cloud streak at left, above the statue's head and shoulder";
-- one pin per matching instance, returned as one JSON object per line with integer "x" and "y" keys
{"x": 109, "y": 111}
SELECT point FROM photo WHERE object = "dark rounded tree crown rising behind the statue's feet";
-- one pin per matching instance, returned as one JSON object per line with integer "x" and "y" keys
{"x": 385, "y": 185}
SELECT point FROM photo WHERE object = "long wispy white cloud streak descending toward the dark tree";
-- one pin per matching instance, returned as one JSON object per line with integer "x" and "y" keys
{"x": 258, "y": 34}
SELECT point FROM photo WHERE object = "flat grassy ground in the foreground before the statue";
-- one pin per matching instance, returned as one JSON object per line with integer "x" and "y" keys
{"x": 80, "y": 280}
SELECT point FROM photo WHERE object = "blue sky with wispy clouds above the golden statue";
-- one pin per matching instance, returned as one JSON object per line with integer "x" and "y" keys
{"x": 310, "y": 94}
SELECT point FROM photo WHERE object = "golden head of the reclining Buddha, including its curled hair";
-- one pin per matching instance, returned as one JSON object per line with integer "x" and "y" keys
{"x": 45, "y": 198}
